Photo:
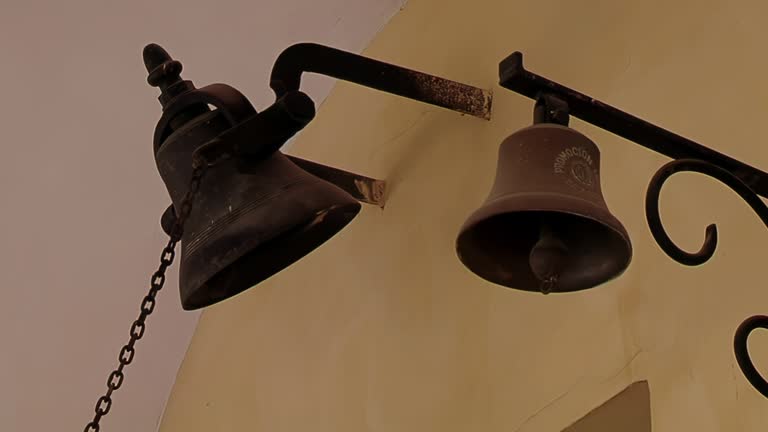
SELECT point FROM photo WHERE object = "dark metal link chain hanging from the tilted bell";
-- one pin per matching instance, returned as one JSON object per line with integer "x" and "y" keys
{"x": 115, "y": 379}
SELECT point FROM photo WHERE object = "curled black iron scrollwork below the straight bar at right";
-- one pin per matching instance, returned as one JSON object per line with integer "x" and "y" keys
{"x": 708, "y": 248}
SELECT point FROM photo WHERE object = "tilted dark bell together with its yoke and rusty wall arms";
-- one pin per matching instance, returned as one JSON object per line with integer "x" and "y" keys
{"x": 254, "y": 195}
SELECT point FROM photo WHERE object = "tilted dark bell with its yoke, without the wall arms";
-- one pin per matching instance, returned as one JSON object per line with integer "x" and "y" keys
{"x": 256, "y": 212}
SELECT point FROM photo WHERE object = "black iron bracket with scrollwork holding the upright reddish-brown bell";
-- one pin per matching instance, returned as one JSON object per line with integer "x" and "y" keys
{"x": 748, "y": 182}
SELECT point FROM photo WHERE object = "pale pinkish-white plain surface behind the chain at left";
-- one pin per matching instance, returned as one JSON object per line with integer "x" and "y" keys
{"x": 80, "y": 195}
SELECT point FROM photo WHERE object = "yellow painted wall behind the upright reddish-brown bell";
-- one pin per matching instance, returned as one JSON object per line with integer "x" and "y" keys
{"x": 382, "y": 329}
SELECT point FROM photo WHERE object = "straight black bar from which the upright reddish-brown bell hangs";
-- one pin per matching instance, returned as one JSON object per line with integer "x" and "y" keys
{"x": 513, "y": 76}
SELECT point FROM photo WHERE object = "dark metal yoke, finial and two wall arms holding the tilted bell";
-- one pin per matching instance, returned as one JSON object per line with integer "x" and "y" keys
{"x": 256, "y": 135}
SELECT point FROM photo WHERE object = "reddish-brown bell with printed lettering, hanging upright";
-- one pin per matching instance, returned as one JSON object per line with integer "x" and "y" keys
{"x": 545, "y": 225}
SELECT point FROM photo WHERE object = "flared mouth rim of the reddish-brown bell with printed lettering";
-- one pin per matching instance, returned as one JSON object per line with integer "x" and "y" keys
{"x": 511, "y": 204}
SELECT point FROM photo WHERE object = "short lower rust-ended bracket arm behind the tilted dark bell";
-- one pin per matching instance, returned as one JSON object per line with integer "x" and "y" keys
{"x": 364, "y": 189}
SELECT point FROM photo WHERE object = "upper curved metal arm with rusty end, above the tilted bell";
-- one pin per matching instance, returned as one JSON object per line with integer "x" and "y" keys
{"x": 332, "y": 62}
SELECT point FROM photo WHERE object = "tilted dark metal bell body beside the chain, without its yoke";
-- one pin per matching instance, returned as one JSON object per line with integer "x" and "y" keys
{"x": 244, "y": 226}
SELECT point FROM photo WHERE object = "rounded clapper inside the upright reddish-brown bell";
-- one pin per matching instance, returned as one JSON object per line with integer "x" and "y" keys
{"x": 548, "y": 258}
